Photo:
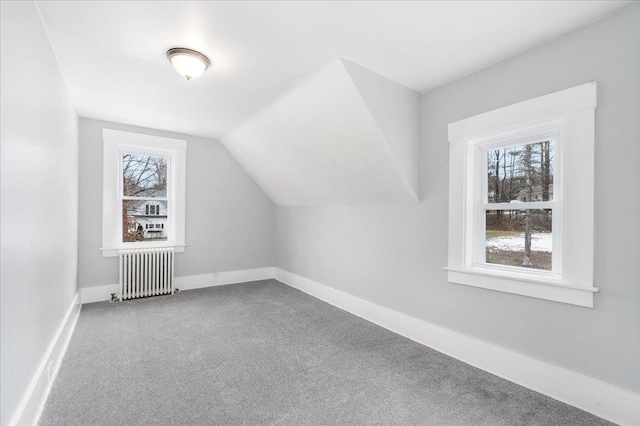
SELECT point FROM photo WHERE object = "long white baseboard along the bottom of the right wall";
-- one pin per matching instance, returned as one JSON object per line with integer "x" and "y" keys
{"x": 602, "y": 399}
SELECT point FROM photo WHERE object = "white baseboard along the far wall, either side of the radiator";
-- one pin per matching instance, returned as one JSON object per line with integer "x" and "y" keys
{"x": 103, "y": 292}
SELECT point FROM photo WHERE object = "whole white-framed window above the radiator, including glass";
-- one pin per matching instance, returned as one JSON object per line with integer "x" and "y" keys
{"x": 143, "y": 178}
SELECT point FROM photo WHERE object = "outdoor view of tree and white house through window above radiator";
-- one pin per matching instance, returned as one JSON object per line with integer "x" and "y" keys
{"x": 144, "y": 198}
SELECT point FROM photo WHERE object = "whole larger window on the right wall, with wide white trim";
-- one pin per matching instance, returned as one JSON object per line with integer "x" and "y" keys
{"x": 521, "y": 198}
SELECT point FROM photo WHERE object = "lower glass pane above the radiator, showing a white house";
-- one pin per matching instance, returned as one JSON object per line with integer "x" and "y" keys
{"x": 137, "y": 225}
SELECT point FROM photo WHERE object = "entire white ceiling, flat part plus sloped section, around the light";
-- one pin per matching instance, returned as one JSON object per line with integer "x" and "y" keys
{"x": 343, "y": 135}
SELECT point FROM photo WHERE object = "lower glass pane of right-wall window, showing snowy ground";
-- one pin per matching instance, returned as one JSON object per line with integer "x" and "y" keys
{"x": 519, "y": 238}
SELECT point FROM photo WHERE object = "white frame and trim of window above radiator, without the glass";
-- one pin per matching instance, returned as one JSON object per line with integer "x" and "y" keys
{"x": 116, "y": 143}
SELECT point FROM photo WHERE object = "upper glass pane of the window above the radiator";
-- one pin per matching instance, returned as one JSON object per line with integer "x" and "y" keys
{"x": 144, "y": 176}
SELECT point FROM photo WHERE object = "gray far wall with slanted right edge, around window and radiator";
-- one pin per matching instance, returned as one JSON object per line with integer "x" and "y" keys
{"x": 229, "y": 223}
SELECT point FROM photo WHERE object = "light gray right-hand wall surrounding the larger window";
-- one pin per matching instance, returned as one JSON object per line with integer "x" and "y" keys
{"x": 394, "y": 255}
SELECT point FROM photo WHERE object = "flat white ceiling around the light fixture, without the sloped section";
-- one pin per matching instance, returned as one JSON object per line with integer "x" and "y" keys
{"x": 112, "y": 54}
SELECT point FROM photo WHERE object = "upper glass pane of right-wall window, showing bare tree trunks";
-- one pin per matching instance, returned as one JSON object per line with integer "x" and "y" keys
{"x": 520, "y": 173}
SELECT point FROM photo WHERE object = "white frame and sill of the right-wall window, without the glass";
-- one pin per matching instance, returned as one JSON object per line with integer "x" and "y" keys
{"x": 570, "y": 114}
